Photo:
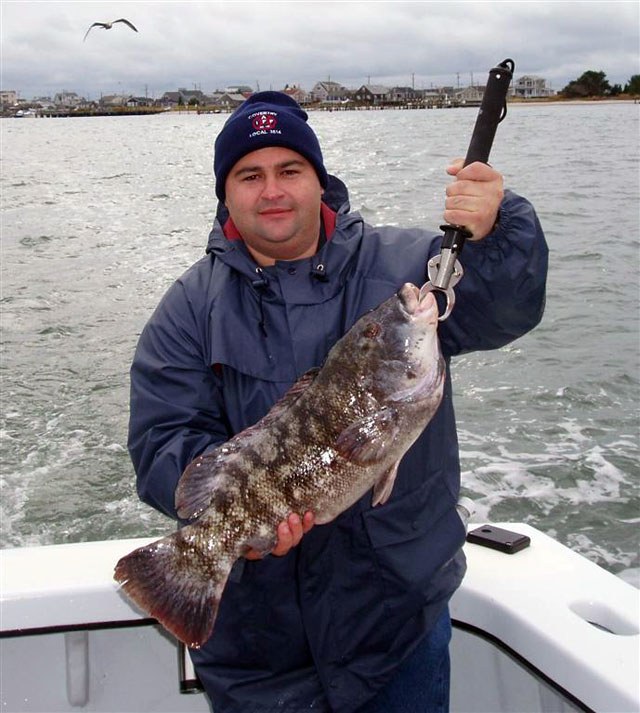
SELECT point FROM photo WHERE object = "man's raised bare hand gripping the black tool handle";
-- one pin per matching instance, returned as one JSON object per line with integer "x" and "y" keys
{"x": 474, "y": 198}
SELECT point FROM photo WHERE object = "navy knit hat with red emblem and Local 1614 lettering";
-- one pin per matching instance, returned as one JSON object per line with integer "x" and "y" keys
{"x": 265, "y": 119}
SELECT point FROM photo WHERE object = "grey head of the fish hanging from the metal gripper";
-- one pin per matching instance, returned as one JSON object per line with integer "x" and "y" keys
{"x": 396, "y": 351}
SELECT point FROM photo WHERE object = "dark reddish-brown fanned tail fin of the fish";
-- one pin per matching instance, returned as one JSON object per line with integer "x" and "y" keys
{"x": 170, "y": 581}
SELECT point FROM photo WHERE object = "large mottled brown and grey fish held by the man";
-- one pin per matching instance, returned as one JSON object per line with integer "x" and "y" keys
{"x": 338, "y": 432}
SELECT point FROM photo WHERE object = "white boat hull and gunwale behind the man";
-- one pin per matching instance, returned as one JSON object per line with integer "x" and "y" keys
{"x": 522, "y": 639}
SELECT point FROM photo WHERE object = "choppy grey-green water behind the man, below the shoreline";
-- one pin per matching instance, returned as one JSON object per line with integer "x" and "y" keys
{"x": 100, "y": 215}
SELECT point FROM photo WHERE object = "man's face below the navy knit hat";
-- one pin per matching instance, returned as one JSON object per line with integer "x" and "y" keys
{"x": 273, "y": 196}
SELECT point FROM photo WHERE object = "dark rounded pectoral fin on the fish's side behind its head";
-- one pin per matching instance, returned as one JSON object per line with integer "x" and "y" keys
{"x": 366, "y": 441}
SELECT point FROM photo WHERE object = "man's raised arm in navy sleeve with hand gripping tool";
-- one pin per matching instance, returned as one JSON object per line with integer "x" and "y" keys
{"x": 501, "y": 295}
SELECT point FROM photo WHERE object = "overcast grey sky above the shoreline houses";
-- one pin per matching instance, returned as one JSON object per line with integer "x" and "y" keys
{"x": 209, "y": 45}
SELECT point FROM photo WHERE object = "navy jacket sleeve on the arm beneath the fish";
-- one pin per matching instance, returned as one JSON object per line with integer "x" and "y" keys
{"x": 176, "y": 406}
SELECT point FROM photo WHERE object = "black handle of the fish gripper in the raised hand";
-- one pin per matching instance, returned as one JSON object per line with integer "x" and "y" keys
{"x": 492, "y": 111}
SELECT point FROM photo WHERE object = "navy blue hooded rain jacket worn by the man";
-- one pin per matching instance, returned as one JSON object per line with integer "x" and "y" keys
{"x": 326, "y": 625}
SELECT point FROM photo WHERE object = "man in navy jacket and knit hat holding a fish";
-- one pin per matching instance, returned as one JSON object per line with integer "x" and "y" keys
{"x": 349, "y": 616}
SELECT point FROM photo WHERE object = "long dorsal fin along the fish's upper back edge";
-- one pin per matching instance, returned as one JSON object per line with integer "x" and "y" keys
{"x": 206, "y": 473}
